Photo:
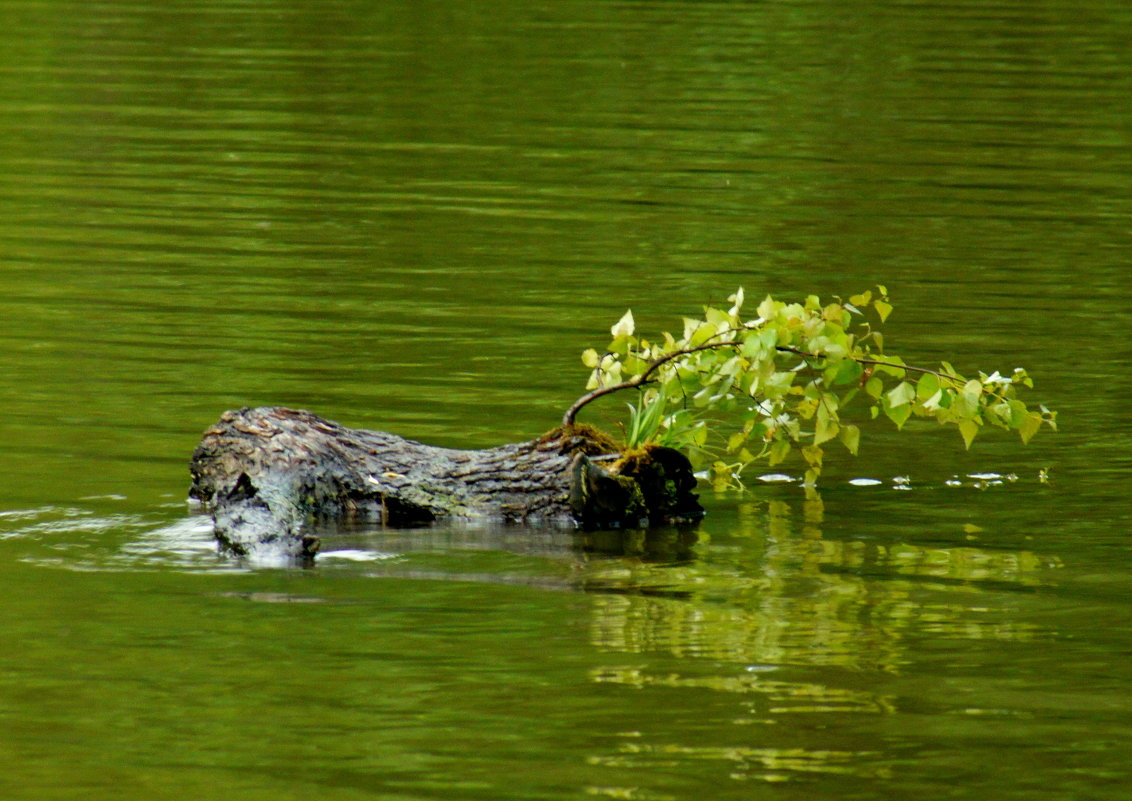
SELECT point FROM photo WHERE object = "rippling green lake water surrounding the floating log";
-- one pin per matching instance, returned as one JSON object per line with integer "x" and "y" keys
{"x": 414, "y": 217}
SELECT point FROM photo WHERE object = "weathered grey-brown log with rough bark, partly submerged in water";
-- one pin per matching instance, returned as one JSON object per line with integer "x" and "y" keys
{"x": 267, "y": 473}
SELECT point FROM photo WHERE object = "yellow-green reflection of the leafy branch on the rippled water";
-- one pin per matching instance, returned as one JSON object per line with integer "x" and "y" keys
{"x": 862, "y": 598}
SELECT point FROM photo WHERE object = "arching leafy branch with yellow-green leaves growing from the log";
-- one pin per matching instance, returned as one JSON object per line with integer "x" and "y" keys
{"x": 721, "y": 394}
